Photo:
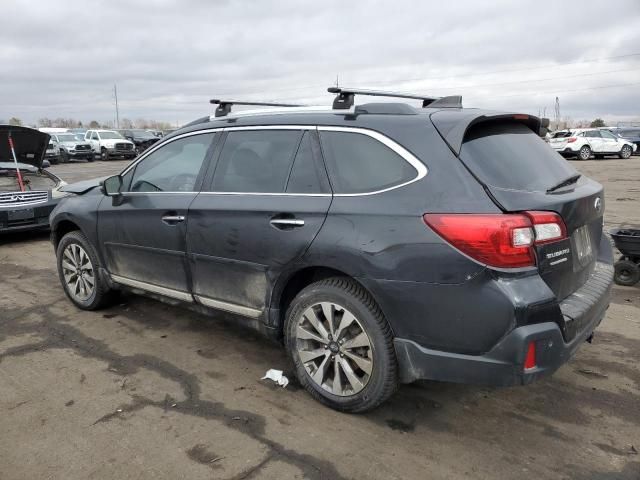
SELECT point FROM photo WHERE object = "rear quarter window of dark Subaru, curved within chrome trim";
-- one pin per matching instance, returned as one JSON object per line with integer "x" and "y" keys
{"x": 359, "y": 163}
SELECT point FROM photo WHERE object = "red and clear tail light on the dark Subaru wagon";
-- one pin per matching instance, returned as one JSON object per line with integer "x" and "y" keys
{"x": 498, "y": 240}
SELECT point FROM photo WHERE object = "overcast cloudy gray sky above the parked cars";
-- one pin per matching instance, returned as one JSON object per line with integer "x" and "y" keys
{"x": 168, "y": 58}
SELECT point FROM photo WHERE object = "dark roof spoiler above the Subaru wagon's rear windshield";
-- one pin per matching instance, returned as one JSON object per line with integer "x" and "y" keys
{"x": 452, "y": 125}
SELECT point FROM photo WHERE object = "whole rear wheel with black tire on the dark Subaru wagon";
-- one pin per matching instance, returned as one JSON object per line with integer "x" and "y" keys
{"x": 362, "y": 384}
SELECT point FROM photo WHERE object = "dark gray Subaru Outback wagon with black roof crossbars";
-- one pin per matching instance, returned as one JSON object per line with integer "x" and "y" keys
{"x": 382, "y": 243}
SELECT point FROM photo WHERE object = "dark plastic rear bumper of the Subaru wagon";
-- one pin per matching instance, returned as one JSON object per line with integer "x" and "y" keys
{"x": 504, "y": 364}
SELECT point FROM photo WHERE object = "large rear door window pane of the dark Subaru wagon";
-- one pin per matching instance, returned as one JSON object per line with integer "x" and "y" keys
{"x": 256, "y": 161}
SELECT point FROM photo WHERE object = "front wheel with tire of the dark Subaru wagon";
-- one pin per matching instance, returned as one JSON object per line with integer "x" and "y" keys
{"x": 75, "y": 250}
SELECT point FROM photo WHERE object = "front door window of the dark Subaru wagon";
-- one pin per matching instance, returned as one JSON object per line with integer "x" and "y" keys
{"x": 174, "y": 167}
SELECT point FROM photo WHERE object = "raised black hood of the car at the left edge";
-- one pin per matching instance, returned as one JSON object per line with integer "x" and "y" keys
{"x": 30, "y": 145}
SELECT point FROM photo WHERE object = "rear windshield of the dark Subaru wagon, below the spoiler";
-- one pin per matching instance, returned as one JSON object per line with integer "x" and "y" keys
{"x": 510, "y": 156}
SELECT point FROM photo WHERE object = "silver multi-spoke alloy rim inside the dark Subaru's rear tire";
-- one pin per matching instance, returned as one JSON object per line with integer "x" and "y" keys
{"x": 334, "y": 349}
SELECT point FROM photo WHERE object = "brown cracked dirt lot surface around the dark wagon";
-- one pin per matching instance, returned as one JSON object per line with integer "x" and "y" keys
{"x": 146, "y": 390}
